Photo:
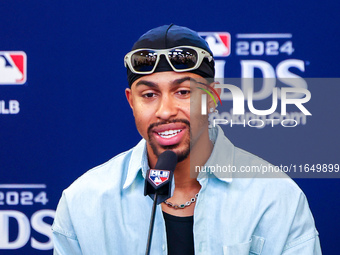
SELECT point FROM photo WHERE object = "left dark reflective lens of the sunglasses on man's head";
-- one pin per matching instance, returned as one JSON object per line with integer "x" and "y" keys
{"x": 143, "y": 60}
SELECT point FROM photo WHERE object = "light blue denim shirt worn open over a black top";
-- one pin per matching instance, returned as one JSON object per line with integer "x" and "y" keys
{"x": 105, "y": 212}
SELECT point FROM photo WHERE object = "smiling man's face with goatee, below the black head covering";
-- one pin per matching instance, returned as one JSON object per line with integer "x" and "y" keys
{"x": 161, "y": 107}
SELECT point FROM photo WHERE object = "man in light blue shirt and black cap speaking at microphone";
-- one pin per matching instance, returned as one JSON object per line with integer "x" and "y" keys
{"x": 105, "y": 212}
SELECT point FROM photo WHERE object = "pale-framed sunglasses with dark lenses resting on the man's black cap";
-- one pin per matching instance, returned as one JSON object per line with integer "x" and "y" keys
{"x": 181, "y": 59}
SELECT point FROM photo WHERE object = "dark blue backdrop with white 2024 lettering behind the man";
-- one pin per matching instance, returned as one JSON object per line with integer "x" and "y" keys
{"x": 71, "y": 113}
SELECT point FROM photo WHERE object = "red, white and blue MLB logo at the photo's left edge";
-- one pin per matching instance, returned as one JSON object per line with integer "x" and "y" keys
{"x": 13, "y": 66}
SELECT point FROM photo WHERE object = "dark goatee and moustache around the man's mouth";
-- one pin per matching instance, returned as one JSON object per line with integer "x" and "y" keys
{"x": 181, "y": 155}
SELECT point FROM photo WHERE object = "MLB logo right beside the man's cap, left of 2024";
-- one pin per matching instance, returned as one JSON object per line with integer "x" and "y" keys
{"x": 219, "y": 42}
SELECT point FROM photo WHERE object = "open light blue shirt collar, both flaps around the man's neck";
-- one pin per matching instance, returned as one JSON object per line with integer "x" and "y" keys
{"x": 222, "y": 155}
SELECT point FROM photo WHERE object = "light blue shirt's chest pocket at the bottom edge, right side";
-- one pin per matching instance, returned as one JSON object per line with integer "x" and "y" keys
{"x": 253, "y": 246}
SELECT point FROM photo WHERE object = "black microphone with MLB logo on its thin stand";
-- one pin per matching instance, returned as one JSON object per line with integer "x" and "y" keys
{"x": 158, "y": 186}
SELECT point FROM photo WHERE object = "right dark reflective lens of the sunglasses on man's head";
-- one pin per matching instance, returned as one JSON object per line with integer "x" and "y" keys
{"x": 183, "y": 58}
